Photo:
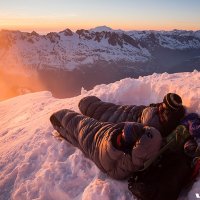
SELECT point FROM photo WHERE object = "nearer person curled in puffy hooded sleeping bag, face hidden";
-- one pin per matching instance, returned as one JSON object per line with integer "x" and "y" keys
{"x": 118, "y": 149}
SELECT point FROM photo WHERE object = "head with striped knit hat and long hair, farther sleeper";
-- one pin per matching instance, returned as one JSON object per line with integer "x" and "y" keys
{"x": 171, "y": 108}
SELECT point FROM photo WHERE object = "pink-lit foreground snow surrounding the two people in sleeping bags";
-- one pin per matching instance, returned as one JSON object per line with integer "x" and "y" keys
{"x": 37, "y": 164}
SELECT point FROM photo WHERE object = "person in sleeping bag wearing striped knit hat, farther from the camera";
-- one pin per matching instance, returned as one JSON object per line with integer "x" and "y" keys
{"x": 164, "y": 116}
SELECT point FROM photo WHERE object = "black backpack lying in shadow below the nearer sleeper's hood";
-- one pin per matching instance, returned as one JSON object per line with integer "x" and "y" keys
{"x": 164, "y": 179}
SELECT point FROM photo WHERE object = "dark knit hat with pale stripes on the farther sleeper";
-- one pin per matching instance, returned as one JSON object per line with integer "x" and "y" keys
{"x": 172, "y": 101}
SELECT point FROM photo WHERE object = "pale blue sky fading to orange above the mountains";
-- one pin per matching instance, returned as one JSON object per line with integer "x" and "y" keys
{"x": 56, "y": 15}
